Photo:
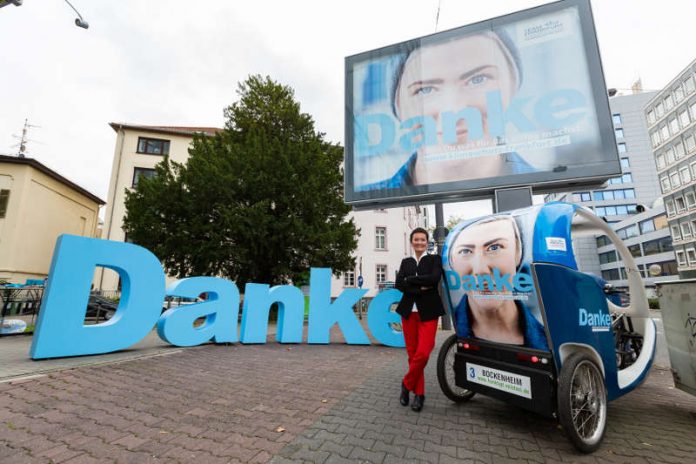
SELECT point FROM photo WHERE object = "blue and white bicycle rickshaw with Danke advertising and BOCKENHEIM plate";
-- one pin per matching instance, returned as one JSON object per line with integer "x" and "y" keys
{"x": 534, "y": 331}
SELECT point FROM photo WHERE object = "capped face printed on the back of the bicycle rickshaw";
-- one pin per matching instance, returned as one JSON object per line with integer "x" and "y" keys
{"x": 482, "y": 247}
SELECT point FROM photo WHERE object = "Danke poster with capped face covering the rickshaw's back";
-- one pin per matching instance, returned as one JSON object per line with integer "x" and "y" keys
{"x": 488, "y": 276}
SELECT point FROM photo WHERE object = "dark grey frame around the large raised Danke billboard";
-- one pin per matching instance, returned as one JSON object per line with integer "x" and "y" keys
{"x": 541, "y": 182}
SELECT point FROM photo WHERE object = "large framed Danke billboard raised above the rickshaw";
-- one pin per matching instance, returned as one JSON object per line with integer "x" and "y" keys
{"x": 515, "y": 100}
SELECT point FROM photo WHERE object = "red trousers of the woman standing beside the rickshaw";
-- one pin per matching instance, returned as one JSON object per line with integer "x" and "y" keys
{"x": 420, "y": 341}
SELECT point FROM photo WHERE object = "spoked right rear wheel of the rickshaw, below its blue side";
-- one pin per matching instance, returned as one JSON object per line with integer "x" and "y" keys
{"x": 582, "y": 402}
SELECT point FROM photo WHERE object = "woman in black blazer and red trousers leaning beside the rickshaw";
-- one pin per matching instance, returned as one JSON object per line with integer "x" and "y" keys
{"x": 420, "y": 307}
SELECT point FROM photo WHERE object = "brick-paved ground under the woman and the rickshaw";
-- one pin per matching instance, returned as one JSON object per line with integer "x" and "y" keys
{"x": 298, "y": 403}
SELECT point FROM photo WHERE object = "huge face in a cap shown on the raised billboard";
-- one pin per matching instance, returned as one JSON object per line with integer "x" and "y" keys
{"x": 452, "y": 76}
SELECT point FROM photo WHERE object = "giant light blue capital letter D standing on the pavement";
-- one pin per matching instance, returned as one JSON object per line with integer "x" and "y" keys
{"x": 60, "y": 330}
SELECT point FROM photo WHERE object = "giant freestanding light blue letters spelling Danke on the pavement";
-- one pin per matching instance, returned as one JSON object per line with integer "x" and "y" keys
{"x": 60, "y": 330}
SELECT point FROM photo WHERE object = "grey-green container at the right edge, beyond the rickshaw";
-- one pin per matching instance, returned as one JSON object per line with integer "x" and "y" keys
{"x": 678, "y": 307}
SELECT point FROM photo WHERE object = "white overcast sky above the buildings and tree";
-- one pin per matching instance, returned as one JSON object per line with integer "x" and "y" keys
{"x": 177, "y": 62}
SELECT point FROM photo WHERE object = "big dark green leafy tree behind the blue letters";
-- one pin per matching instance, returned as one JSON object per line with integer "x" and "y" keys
{"x": 260, "y": 201}
